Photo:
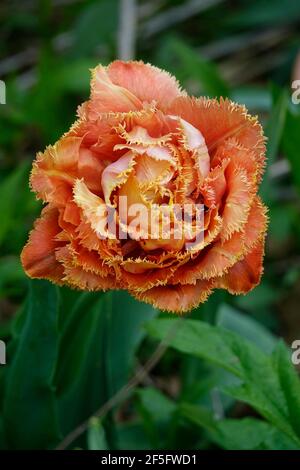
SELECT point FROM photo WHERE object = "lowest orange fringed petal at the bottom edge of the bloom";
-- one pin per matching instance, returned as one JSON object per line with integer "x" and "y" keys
{"x": 177, "y": 298}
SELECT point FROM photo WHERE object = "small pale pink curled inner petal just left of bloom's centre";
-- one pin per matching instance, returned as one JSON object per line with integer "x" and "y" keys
{"x": 116, "y": 174}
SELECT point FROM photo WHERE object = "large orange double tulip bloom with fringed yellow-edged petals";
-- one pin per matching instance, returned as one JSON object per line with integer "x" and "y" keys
{"x": 151, "y": 191}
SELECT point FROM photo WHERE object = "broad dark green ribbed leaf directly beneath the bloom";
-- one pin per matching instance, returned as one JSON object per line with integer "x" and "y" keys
{"x": 97, "y": 349}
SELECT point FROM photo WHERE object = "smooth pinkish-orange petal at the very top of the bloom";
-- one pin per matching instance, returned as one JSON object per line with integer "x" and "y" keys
{"x": 146, "y": 82}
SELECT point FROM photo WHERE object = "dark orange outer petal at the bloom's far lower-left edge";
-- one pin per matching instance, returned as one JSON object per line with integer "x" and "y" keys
{"x": 38, "y": 255}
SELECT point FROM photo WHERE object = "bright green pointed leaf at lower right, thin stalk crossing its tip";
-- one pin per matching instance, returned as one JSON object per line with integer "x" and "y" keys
{"x": 260, "y": 386}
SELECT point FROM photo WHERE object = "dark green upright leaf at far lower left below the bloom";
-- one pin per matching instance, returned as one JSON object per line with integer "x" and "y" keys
{"x": 30, "y": 415}
